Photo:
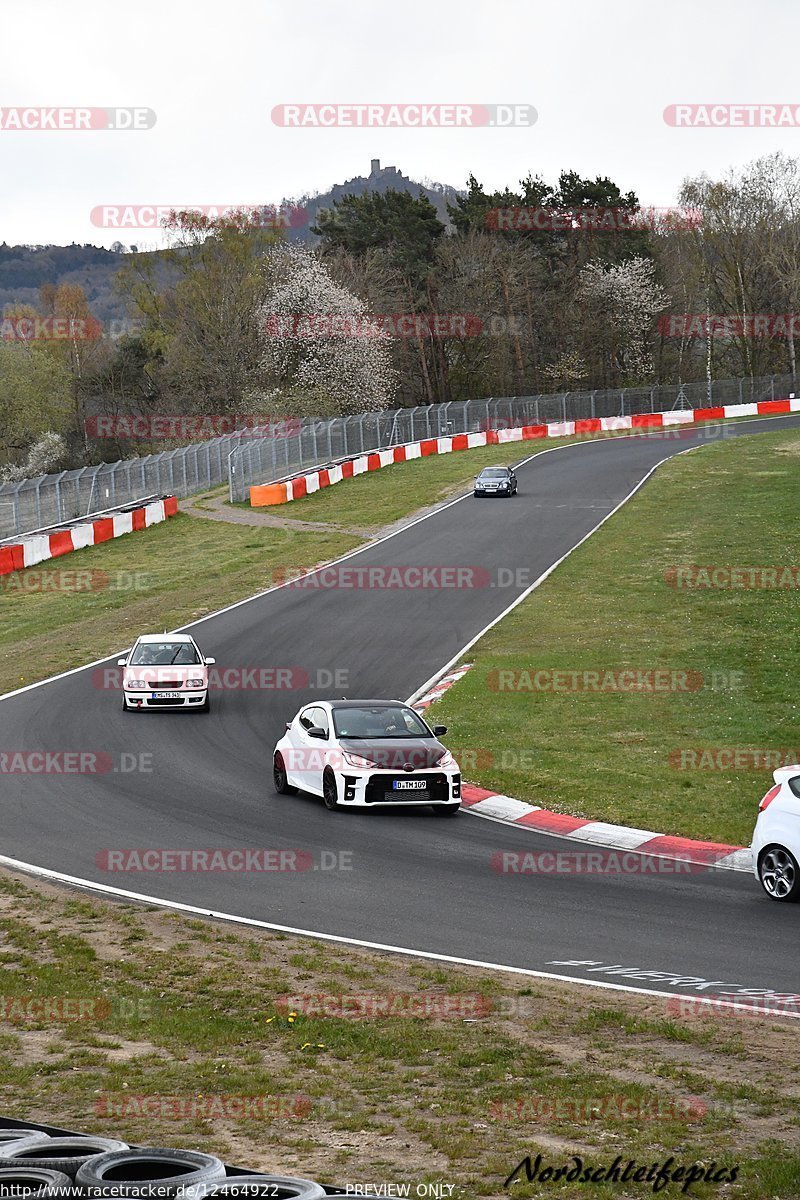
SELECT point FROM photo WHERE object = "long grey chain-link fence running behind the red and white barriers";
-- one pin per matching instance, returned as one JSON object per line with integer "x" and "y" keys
{"x": 264, "y": 455}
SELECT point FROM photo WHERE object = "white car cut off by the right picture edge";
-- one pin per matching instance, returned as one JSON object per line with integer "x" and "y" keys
{"x": 777, "y": 837}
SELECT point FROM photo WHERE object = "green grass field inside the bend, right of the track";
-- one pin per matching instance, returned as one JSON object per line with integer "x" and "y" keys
{"x": 628, "y": 758}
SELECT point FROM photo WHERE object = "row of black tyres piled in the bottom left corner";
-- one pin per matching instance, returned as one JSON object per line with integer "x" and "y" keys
{"x": 35, "y": 1166}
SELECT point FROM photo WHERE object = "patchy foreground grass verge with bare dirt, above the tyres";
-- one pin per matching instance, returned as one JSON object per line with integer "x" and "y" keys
{"x": 184, "y": 1018}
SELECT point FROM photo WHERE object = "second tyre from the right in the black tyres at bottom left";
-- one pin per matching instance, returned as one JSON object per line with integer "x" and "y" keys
{"x": 133, "y": 1173}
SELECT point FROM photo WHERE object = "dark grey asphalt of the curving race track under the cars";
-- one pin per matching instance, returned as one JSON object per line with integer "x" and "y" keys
{"x": 414, "y": 881}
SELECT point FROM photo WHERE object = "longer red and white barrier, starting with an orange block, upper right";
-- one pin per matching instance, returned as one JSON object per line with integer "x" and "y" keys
{"x": 305, "y": 485}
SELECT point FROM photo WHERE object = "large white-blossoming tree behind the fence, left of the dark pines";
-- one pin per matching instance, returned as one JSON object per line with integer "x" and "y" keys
{"x": 322, "y": 355}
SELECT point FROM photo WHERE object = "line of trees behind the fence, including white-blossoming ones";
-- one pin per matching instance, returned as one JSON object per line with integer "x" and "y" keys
{"x": 549, "y": 287}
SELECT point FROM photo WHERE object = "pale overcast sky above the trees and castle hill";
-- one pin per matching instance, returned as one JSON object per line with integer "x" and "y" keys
{"x": 599, "y": 74}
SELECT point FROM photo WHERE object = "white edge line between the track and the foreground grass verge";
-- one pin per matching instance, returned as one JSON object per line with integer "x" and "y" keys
{"x": 252, "y": 922}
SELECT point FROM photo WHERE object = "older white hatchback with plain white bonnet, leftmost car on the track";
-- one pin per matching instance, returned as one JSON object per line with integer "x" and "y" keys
{"x": 165, "y": 671}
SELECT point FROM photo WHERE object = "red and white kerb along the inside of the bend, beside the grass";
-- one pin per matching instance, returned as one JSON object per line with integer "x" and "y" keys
{"x": 597, "y": 833}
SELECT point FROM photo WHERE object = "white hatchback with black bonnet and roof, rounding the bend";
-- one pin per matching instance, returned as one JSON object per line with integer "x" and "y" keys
{"x": 368, "y": 754}
